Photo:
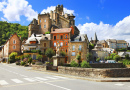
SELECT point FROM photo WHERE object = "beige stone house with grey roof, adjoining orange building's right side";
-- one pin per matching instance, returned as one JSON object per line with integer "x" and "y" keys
{"x": 79, "y": 44}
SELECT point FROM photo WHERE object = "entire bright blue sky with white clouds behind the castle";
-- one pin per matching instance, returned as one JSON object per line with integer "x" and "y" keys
{"x": 108, "y": 18}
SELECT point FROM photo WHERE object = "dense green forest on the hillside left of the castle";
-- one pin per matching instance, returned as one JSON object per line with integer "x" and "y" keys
{"x": 7, "y": 29}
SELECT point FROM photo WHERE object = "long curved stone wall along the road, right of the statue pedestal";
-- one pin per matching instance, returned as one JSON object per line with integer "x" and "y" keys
{"x": 95, "y": 72}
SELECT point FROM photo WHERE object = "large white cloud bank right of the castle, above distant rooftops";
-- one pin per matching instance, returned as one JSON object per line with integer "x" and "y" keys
{"x": 106, "y": 31}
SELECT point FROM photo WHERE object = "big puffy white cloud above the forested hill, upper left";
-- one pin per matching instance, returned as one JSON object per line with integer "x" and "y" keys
{"x": 13, "y": 9}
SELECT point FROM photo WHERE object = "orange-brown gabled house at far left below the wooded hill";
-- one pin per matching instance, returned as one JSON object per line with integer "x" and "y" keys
{"x": 13, "y": 44}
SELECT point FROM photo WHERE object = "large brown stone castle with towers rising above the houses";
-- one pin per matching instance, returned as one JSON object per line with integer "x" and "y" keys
{"x": 53, "y": 20}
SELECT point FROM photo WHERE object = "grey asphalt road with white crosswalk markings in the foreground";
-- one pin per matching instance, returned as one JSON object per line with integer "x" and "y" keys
{"x": 14, "y": 77}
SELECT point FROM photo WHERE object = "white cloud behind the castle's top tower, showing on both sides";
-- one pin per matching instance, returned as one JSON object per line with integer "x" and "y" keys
{"x": 53, "y": 8}
